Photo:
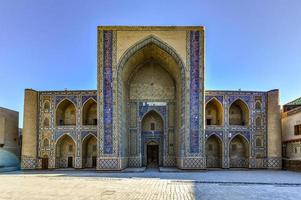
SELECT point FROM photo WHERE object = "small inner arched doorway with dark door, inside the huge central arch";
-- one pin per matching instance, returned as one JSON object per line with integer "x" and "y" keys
{"x": 152, "y": 140}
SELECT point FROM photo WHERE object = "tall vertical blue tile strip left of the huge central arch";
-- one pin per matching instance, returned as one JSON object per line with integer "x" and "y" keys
{"x": 107, "y": 92}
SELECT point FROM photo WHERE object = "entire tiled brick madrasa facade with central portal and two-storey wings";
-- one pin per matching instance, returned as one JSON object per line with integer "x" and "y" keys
{"x": 151, "y": 109}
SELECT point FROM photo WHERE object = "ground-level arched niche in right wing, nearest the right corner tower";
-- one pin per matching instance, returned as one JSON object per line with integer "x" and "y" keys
{"x": 239, "y": 152}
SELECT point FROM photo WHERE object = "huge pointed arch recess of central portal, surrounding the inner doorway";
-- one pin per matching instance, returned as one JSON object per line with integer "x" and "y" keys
{"x": 150, "y": 72}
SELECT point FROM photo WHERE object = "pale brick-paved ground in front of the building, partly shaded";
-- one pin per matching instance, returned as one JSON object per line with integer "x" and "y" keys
{"x": 40, "y": 185}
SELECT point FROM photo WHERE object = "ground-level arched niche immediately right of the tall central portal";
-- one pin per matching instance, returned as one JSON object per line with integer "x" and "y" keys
{"x": 214, "y": 152}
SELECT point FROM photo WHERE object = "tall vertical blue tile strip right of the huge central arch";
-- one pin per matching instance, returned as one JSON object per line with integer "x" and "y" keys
{"x": 194, "y": 90}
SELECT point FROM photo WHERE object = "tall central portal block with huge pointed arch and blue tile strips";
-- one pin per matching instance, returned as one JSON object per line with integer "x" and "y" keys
{"x": 150, "y": 93}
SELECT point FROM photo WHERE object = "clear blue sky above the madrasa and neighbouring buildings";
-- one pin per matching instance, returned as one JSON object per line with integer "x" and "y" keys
{"x": 51, "y": 44}
